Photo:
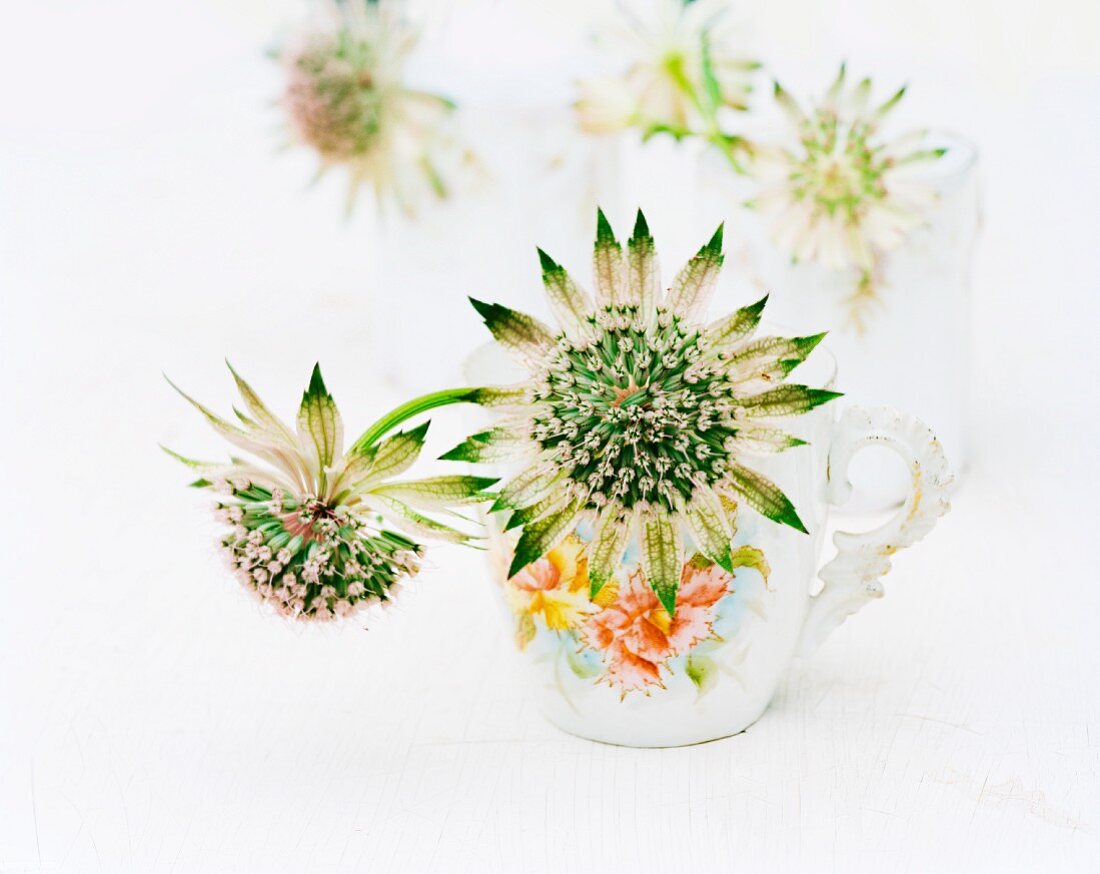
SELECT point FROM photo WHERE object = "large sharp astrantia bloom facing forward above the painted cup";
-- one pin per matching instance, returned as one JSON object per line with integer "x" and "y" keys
{"x": 640, "y": 414}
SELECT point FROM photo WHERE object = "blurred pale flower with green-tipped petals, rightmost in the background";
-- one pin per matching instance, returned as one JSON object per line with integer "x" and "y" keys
{"x": 841, "y": 193}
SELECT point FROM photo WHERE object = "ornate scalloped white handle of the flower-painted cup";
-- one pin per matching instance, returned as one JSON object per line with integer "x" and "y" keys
{"x": 853, "y": 578}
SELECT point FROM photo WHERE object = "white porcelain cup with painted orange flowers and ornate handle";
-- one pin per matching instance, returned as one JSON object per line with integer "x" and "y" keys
{"x": 618, "y": 669}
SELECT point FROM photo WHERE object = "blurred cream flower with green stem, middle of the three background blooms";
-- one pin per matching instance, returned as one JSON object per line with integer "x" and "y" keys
{"x": 683, "y": 71}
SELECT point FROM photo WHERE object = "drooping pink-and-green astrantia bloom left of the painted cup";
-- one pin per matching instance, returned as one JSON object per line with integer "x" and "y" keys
{"x": 312, "y": 528}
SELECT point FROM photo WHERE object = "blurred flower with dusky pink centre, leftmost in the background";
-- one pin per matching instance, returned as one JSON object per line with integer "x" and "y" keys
{"x": 346, "y": 98}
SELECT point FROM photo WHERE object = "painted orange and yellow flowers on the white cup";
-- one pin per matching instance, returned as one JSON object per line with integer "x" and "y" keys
{"x": 624, "y": 637}
